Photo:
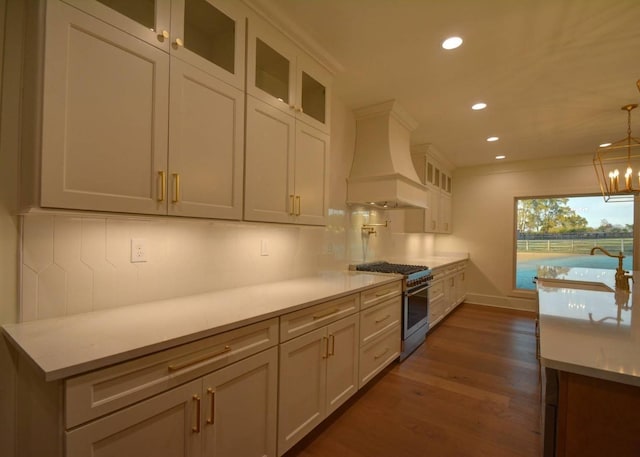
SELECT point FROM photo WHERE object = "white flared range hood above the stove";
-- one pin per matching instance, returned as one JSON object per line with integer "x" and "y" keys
{"x": 382, "y": 173}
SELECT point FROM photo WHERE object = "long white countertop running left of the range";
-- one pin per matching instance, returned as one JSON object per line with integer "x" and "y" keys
{"x": 66, "y": 346}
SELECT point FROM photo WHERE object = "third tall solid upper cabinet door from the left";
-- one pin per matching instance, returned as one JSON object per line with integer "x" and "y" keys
{"x": 269, "y": 187}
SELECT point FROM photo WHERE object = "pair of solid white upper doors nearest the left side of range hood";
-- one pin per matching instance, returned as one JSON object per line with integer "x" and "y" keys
{"x": 286, "y": 168}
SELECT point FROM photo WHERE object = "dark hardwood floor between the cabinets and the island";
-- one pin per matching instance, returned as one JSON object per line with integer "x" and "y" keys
{"x": 471, "y": 390}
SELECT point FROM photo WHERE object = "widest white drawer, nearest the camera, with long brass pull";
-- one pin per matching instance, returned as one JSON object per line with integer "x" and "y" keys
{"x": 102, "y": 391}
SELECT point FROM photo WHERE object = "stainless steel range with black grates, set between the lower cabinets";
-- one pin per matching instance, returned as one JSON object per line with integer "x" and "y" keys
{"x": 415, "y": 300}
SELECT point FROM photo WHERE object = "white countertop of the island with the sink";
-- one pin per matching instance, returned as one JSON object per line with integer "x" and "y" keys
{"x": 593, "y": 333}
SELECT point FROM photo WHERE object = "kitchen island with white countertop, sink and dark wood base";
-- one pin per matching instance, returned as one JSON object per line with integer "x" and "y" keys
{"x": 590, "y": 361}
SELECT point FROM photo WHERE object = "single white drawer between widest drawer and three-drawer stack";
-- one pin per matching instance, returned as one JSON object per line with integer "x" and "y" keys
{"x": 308, "y": 319}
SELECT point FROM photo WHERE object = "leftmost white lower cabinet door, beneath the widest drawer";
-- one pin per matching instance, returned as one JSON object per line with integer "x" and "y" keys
{"x": 164, "y": 425}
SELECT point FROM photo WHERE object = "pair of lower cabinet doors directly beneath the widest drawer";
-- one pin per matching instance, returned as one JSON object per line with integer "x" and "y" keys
{"x": 230, "y": 412}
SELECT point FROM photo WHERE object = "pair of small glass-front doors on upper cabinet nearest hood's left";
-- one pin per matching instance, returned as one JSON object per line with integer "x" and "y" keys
{"x": 280, "y": 74}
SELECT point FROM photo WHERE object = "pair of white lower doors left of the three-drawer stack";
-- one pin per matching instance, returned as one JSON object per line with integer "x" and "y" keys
{"x": 318, "y": 373}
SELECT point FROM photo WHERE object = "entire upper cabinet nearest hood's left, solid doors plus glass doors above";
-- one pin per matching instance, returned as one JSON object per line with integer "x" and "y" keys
{"x": 287, "y": 139}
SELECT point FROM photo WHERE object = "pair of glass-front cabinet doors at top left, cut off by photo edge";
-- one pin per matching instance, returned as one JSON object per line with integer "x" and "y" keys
{"x": 209, "y": 34}
